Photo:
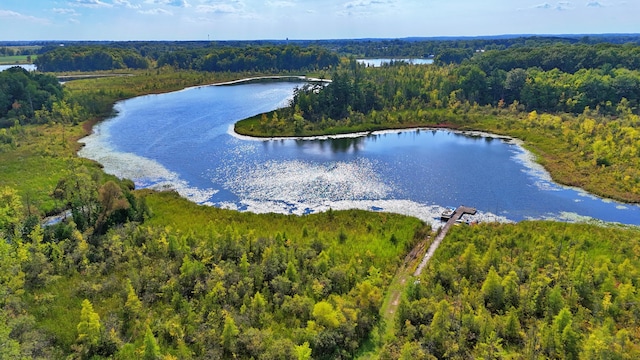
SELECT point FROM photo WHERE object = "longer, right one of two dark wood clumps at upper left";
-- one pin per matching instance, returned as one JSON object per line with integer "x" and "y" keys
{"x": 266, "y": 58}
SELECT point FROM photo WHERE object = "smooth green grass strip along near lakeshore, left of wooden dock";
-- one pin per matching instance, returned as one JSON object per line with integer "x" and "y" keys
{"x": 364, "y": 234}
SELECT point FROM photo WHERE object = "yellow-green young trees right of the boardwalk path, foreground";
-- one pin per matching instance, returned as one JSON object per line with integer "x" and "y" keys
{"x": 533, "y": 290}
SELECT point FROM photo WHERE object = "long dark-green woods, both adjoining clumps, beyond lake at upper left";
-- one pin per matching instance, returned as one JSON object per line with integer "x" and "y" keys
{"x": 216, "y": 59}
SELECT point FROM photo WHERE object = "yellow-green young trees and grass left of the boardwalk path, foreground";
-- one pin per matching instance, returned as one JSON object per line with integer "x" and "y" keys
{"x": 154, "y": 276}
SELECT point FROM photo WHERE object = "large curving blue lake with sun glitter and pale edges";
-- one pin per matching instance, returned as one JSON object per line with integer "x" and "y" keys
{"x": 184, "y": 141}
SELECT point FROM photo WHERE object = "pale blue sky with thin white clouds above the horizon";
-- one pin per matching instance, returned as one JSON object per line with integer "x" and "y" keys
{"x": 307, "y": 19}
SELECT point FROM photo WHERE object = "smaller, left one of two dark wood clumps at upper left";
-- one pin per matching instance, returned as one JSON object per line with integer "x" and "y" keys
{"x": 90, "y": 58}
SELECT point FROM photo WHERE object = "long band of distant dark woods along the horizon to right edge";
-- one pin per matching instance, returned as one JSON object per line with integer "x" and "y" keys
{"x": 280, "y": 55}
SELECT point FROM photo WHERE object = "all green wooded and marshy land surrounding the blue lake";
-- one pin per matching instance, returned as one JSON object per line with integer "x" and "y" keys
{"x": 141, "y": 274}
